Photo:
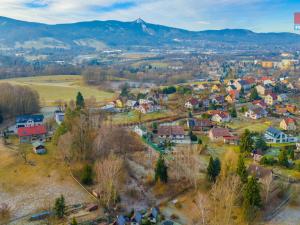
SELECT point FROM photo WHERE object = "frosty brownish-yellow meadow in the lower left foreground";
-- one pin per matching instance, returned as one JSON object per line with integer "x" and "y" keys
{"x": 29, "y": 188}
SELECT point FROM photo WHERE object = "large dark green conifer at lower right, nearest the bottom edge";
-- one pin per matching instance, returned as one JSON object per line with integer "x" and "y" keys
{"x": 251, "y": 199}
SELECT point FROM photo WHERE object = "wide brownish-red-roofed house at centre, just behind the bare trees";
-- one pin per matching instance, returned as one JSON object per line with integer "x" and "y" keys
{"x": 173, "y": 133}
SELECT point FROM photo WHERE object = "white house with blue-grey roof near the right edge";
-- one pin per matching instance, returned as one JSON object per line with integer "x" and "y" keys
{"x": 273, "y": 135}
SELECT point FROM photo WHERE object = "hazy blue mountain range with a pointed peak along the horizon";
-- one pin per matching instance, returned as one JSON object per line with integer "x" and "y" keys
{"x": 111, "y": 34}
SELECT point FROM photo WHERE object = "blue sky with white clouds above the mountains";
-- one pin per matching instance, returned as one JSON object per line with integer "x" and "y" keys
{"x": 256, "y": 15}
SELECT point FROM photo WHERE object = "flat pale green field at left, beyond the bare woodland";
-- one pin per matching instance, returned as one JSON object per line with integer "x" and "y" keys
{"x": 64, "y": 87}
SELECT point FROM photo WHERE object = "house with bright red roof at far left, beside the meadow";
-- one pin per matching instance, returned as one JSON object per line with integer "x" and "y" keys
{"x": 31, "y": 134}
